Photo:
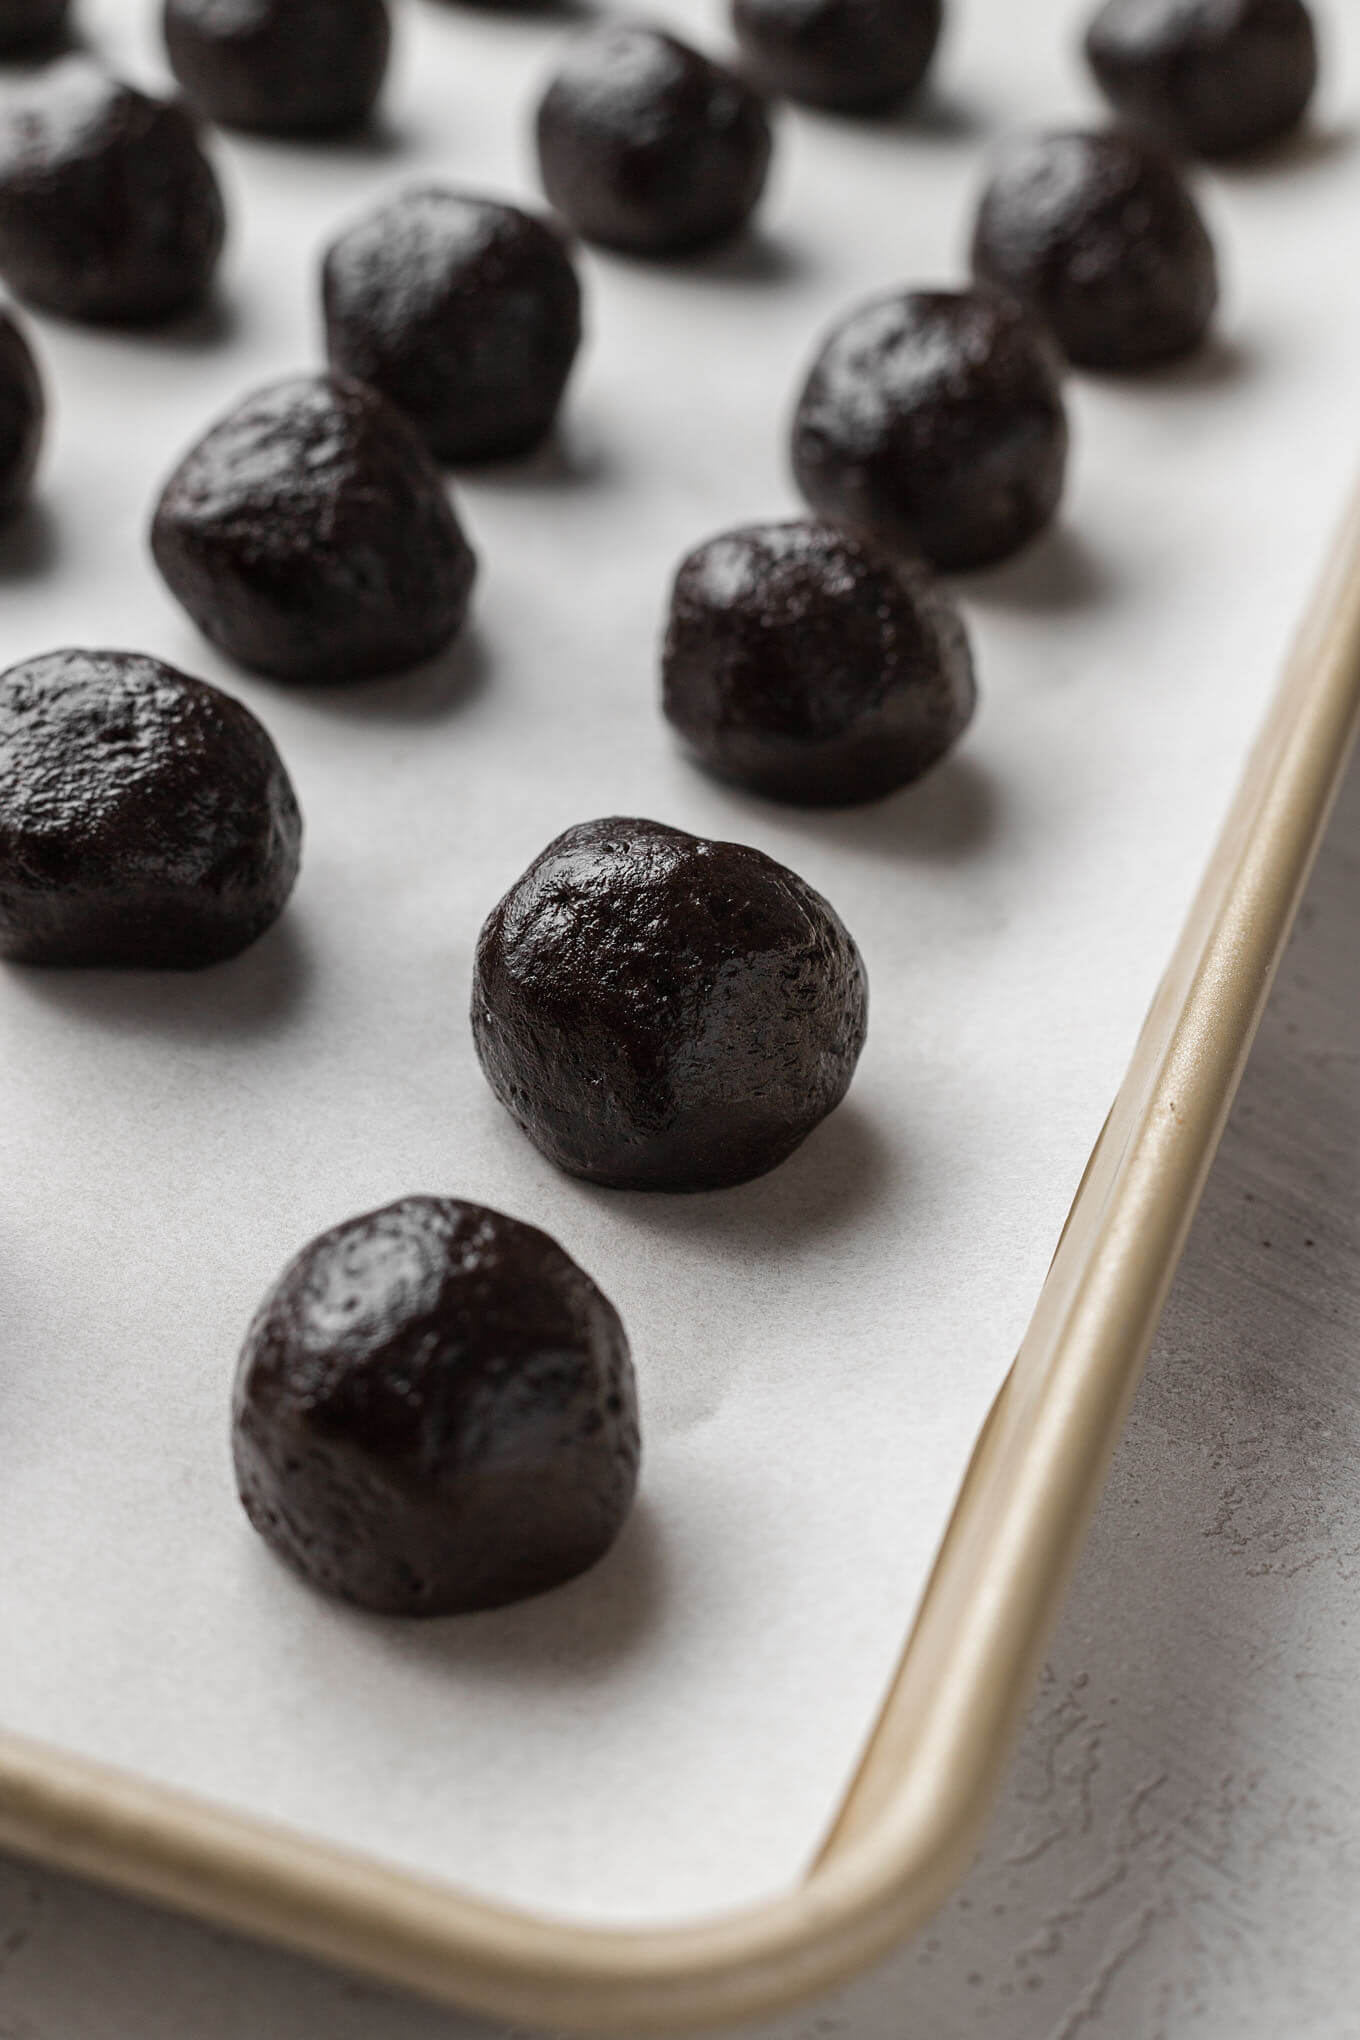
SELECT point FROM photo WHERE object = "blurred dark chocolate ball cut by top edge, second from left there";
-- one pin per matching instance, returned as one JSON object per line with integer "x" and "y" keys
{"x": 280, "y": 66}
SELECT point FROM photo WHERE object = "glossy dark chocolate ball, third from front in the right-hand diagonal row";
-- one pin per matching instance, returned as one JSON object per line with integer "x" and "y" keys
{"x": 813, "y": 666}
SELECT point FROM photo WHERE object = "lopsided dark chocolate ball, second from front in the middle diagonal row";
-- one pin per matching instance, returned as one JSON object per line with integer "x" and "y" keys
{"x": 311, "y": 538}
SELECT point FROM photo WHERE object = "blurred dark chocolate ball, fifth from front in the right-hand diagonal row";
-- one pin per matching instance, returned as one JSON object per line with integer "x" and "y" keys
{"x": 1100, "y": 238}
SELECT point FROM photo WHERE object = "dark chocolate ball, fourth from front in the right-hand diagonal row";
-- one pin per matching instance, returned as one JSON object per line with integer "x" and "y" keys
{"x": 935, "y": 419}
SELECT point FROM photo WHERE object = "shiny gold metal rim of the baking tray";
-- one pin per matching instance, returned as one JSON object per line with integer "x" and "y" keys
{"x": 923, "y": 1790}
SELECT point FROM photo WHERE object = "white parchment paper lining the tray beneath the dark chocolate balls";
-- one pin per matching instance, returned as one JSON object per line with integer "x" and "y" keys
{"x": 819, "y": 1349}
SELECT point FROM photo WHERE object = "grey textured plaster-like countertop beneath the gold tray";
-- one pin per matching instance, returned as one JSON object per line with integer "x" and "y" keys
{"x": 1178, "y": 1851}
